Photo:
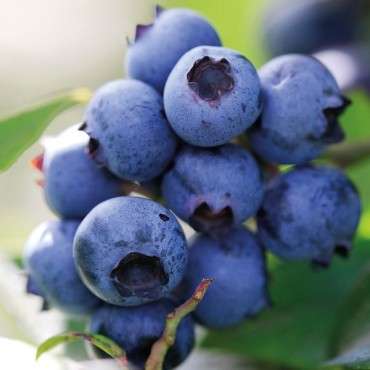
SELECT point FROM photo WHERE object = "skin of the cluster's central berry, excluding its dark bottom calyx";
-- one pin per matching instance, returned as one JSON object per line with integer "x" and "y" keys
{"x": 225, "y": 176}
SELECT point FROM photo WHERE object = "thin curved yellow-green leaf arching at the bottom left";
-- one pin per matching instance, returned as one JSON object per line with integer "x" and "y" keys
{"x": 103, "y": 343}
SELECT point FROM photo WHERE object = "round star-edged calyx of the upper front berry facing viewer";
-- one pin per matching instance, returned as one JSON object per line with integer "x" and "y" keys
{"x": 210, "y": 79}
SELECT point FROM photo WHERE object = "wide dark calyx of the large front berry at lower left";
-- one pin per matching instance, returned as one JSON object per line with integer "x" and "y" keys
{"x": 139, "y": 274}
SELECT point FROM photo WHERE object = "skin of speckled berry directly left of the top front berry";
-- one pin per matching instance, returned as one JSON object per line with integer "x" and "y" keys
{"x": 135, "y": 140}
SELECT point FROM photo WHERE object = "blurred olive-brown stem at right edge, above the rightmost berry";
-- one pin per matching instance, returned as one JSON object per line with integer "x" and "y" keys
{"x": 349, "y": 154}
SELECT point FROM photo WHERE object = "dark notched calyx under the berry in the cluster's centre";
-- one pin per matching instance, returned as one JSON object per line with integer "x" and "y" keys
{"x": 204, "y": 218}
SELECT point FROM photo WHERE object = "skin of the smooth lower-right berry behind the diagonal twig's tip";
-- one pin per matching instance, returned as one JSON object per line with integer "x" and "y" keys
{"x": 236, "y": 263}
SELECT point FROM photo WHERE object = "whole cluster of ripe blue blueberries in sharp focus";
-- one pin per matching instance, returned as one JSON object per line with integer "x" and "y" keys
{"x": 200, "y": 130}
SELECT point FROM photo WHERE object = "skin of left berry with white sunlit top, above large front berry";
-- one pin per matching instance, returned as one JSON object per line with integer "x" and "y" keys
{"x": 73, "y": 183}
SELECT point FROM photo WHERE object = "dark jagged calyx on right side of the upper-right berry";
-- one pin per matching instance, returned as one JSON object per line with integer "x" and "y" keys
{"x": 334, "y": 133}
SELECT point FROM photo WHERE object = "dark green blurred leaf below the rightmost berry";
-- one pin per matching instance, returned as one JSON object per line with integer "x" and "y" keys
{"x": 297, "y": 331}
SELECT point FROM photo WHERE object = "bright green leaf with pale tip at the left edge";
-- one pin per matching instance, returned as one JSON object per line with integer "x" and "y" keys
{"x": 20, "y": 130}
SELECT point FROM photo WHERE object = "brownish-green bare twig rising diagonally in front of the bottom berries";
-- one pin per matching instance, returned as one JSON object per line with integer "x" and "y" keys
{"x": 161, "y": 347}
